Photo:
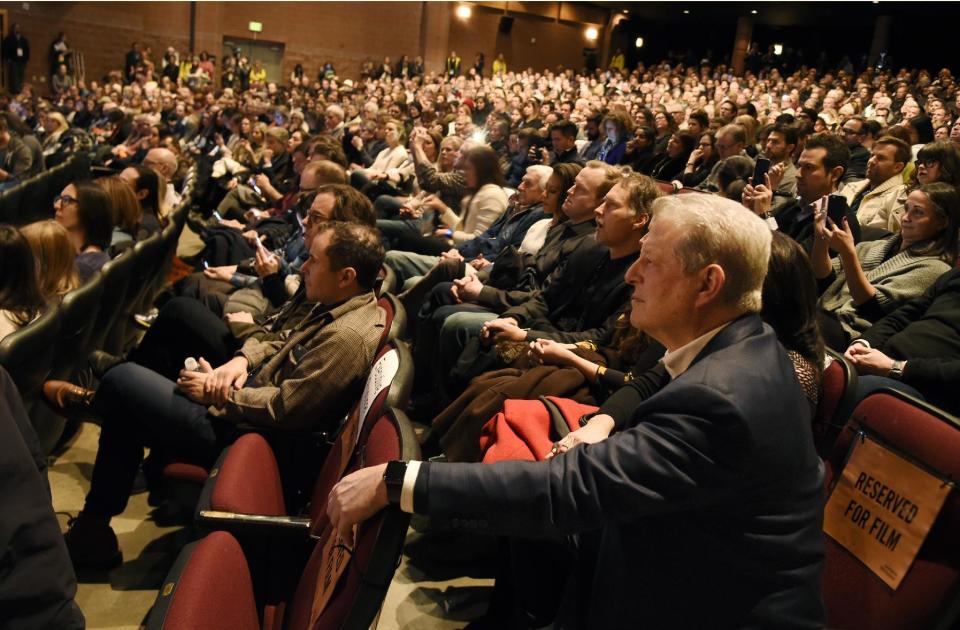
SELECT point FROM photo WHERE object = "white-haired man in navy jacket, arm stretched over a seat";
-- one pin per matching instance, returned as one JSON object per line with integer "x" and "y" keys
{"x": 703, "y": 509}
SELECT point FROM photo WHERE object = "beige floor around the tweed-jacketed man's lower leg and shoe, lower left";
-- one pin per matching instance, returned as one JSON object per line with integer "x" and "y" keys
{"x": 121, "y": 598}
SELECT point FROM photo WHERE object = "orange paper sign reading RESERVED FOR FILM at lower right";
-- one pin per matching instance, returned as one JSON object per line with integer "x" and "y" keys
{"x": 882, "y": 508}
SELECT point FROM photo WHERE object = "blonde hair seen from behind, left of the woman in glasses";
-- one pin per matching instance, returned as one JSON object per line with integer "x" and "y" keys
{"x": 54, "y": 253}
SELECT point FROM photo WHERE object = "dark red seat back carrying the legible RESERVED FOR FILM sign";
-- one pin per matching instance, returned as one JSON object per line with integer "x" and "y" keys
{"x": 855, "y": 597}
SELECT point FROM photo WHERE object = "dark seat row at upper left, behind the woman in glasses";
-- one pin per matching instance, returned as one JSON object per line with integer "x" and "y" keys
{"x": 32, "y": 199}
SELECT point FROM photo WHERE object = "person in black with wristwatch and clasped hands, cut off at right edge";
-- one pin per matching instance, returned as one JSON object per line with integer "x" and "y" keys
{"x": 916, "y": 348}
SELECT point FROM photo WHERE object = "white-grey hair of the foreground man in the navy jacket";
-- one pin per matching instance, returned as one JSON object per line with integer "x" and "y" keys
{"x": 720, "y": 231}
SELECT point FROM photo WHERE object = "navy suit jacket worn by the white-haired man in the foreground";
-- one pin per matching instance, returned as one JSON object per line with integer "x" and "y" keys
{"x": 707, "y": 507}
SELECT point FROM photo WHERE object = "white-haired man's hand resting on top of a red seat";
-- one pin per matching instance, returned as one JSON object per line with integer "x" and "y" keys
{"x": 355, "y": 498}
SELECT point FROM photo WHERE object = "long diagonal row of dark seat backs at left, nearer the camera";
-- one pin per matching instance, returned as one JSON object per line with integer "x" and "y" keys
{"x": 95, "y": 316}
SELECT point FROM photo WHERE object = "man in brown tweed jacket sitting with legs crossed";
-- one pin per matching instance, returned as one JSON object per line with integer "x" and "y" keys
{"x": 310, "y": 374}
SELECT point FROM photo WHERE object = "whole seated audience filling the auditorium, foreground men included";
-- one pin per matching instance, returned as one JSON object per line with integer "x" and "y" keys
{"x": 593, "y": 236}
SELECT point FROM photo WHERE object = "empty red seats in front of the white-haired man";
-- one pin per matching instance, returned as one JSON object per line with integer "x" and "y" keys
{"x": 269, "y": 558}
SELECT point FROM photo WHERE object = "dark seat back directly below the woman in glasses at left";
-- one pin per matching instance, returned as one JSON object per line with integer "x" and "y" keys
{"x": 78, "y": 316}
